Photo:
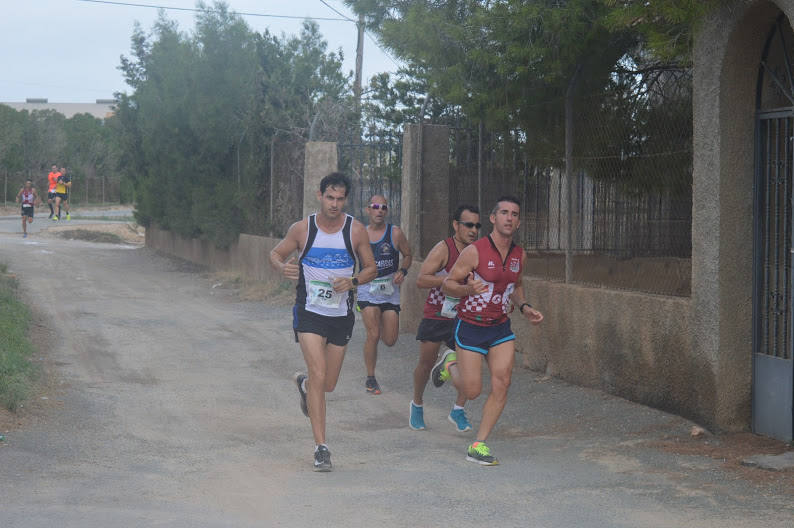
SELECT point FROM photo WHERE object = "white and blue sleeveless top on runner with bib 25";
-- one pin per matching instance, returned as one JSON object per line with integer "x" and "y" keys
{"x": 325, "y": 257}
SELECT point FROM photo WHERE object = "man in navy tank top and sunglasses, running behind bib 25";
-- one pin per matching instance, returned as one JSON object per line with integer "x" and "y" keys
{"x": 379, "y": 301}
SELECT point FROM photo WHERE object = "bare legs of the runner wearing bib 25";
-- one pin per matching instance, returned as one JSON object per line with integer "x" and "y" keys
{"x": 323, "y": 363}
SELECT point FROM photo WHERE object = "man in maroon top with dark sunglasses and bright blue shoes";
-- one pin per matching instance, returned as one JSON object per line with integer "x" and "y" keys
{"x": 438, "y": 322}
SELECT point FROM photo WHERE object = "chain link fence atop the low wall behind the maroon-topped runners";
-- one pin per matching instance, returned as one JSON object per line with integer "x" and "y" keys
{"x": 628, "y": 222}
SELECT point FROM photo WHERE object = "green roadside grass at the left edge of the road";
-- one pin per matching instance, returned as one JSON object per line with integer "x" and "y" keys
{"x": 17, "y": 373}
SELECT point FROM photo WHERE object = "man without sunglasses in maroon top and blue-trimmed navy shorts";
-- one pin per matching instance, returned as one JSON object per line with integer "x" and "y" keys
{"x": 487, "y": 278}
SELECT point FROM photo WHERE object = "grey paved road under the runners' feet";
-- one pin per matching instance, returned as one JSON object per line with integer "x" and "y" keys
{"x": 178, "y": 411}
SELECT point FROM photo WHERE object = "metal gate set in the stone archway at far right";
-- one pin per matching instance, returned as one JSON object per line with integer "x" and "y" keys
{"x": 773, "y": 365}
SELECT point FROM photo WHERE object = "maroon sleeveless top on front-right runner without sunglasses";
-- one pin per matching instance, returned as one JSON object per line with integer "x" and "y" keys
{"x": 492, "y": 306}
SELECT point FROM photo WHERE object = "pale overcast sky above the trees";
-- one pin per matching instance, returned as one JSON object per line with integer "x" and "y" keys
{"x": 68, "y": 50}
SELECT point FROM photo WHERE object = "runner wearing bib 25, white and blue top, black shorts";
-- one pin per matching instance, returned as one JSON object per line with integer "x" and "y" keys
{"x": 327, "y": 244}
